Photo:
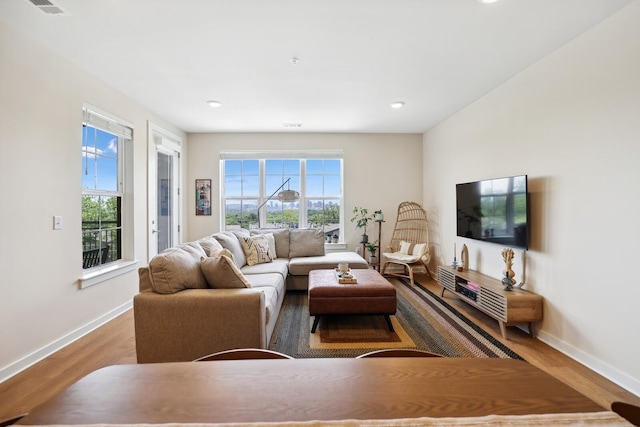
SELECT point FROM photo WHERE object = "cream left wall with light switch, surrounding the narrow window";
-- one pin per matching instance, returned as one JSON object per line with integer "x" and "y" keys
{"x": 41, "y": 98}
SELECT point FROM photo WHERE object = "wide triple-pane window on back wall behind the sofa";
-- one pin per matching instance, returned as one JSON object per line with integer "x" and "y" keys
{"x": 251, "y": 187}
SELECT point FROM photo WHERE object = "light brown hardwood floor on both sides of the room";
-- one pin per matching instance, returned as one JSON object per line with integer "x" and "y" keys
{"x": 114, "y": 343}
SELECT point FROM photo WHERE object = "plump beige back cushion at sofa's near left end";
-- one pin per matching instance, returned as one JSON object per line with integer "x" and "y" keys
{"x": 177, "y": 269}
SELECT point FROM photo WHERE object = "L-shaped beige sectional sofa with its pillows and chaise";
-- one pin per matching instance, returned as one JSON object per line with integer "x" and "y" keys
{"x": 224, "y": 291}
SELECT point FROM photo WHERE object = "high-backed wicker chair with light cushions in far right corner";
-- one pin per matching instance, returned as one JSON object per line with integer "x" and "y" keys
{"x": 409, "y": 246}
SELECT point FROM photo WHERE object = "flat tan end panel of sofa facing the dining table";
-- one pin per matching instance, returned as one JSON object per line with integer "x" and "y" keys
{"x": 195, "y": 322}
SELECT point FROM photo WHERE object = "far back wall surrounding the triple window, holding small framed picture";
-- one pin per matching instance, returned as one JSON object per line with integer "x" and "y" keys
{"x": 380, "y": 171}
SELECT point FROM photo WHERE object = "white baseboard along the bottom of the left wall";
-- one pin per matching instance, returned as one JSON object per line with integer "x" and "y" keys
{"x": 33, "y": 358}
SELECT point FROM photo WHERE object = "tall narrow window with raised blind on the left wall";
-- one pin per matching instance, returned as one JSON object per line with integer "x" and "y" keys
{"x": 103, "y": 140}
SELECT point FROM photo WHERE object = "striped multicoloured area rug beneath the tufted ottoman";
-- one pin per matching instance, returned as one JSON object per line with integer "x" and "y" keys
{"x": 423, "y": 320}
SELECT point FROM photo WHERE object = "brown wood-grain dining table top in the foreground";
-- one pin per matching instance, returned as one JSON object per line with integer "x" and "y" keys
{"x": 309, "y": 389}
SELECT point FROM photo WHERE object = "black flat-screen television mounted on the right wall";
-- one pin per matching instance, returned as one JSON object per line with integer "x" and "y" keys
{"x": 495, "y": 211}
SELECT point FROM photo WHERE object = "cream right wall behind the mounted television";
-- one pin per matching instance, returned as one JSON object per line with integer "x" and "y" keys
{"x": 572, "y": 123}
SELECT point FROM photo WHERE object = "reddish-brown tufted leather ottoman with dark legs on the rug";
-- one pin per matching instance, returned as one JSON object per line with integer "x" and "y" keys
{"x": 373, "y": 294}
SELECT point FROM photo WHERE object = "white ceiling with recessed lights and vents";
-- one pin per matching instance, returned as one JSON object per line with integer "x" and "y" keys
{"x": 355, "y": 57}
